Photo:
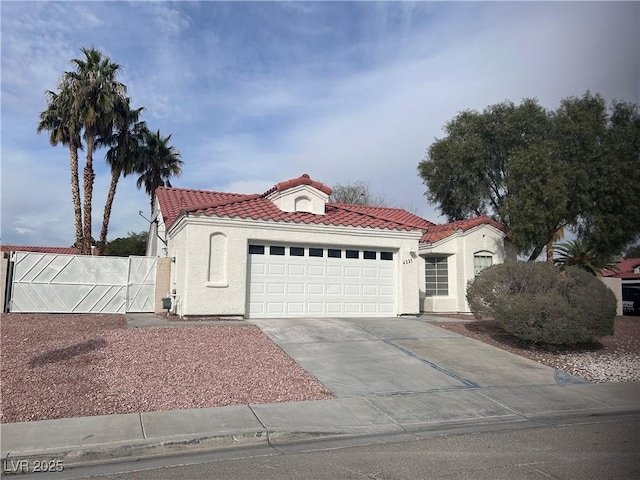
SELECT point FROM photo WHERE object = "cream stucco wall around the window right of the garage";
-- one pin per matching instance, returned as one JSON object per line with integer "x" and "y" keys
{"x": 460, "y": 249}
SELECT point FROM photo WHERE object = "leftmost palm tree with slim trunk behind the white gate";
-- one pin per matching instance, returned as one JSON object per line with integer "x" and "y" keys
{"x": 63, "y": 129}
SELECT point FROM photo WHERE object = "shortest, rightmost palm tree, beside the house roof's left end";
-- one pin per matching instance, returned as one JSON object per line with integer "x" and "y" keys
{"x": 158, "y": 162}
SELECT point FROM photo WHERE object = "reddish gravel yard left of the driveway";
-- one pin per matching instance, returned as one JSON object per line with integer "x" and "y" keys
{"x": 56, "y": 366}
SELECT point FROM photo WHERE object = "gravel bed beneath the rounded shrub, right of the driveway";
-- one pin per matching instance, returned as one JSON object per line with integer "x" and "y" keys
{"x": 615, "y": 358}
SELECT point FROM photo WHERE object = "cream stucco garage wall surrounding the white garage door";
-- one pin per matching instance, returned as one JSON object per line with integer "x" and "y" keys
{"x": 189, "y": 244}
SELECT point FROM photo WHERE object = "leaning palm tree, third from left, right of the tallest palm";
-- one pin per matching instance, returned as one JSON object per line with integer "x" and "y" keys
{"x": 125, "y": 145}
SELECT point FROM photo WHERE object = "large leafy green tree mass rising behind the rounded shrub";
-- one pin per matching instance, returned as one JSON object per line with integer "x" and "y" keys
{"x": 539, "y": 171}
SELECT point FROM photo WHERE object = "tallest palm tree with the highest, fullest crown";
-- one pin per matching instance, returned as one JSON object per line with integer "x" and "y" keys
{"x": 95, "y": 94}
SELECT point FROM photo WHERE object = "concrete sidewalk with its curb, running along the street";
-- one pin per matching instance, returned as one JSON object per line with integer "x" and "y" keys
{"x": 88, "y": 440}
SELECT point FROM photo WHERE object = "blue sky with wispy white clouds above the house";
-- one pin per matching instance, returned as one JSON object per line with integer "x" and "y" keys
{"x": 254, "y": 93}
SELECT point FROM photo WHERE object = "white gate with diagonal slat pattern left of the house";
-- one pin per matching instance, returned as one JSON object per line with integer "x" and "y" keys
{"x": 55, "y": 283}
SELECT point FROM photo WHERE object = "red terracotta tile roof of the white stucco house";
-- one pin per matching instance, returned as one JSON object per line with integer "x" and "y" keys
{"x": 175, "y": 202}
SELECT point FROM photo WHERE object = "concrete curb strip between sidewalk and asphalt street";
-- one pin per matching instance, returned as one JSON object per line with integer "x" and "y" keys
{"x": 103, "y": 453}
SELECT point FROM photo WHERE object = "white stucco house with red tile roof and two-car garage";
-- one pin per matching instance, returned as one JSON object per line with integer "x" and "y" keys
{"x": 288, "y": 252}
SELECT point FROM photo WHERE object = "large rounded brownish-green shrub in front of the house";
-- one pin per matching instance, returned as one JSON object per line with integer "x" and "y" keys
{"x": 535, "y": 301}
